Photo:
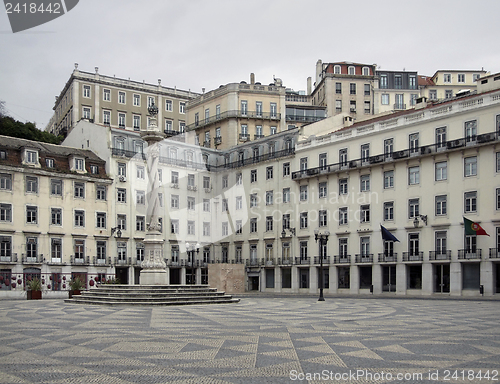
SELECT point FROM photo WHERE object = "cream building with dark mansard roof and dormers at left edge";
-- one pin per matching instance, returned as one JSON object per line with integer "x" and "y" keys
{"x": 54, "y": 215}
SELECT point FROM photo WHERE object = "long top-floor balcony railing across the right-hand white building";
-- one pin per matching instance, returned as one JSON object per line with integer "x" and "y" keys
{"x": 398, "y": 155}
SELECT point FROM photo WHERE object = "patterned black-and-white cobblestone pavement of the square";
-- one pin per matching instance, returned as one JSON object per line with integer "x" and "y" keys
{"x": 259, "y": 340}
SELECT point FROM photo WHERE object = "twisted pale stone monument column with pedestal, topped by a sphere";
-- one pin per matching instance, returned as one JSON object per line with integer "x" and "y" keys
{"x": 153, "y": 267}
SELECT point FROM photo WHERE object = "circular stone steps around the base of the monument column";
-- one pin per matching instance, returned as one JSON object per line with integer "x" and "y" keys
{"x": 152, "y": 295}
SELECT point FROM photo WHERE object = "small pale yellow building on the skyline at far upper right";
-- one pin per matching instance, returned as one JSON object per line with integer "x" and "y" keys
{"x": 445, "y": 84}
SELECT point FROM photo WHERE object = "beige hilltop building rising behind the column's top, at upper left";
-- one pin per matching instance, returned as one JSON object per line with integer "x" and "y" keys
{"x": 115, "y": 102}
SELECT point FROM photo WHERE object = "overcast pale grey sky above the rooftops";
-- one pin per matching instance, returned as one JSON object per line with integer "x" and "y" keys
{"x": 193, "y": 44}
